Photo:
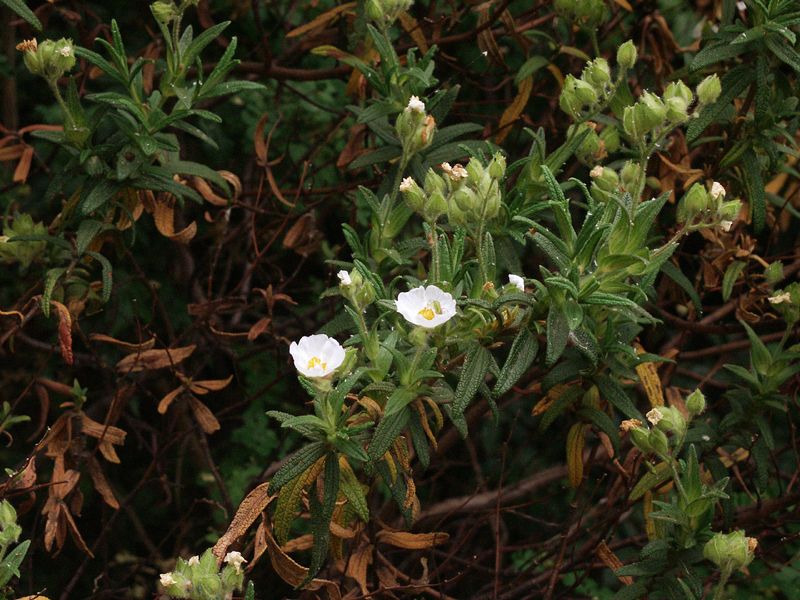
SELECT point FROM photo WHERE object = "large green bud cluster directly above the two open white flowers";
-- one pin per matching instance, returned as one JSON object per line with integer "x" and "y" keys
{"x": 465, "y": 194}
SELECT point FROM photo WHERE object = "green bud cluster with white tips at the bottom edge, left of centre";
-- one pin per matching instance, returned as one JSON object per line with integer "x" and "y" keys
{"x": 199, "y": 578}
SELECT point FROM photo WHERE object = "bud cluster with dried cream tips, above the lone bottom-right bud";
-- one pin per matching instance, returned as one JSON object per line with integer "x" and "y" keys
{"x": 664, "y": 421}
